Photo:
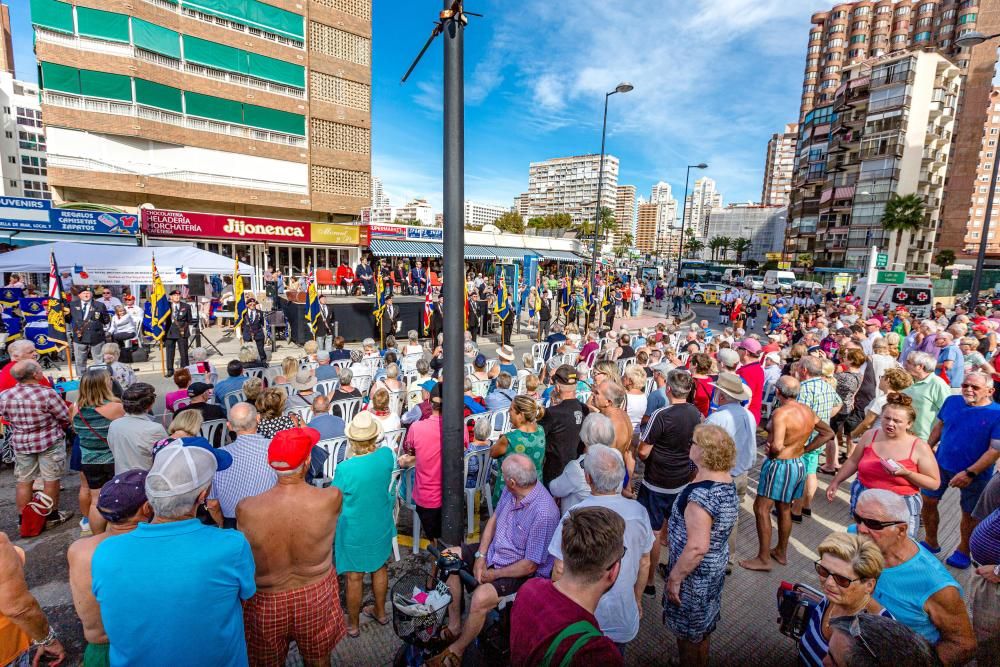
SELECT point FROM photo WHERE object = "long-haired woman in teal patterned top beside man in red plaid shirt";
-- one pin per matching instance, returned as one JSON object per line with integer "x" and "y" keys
{"x": 96, "y": 407}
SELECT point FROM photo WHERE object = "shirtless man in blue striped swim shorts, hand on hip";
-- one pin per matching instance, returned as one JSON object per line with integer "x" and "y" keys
{"x": 782, "y": 477}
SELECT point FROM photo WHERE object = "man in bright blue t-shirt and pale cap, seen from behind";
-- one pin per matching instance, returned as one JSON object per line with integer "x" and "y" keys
{"x": 170, "y": 591}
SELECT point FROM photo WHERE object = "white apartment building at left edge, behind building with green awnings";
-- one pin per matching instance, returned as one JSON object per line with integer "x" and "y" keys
{"x": 24, "y": 166}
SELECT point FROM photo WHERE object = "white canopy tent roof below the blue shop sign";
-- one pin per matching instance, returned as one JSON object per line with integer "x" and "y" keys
{"x": 35, "y": 259}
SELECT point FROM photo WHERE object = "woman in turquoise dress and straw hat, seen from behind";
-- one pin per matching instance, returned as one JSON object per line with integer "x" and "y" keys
{"x": 366, "y": 526}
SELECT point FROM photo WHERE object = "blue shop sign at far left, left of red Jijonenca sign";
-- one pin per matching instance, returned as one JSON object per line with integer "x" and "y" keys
{"x": 38, "y": 215}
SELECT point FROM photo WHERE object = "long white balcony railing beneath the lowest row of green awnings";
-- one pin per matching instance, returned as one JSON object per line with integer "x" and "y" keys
{"x": 128, "y": 109}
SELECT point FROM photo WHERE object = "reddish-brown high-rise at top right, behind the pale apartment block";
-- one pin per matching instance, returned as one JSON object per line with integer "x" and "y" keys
{"x": 851, "y": 32}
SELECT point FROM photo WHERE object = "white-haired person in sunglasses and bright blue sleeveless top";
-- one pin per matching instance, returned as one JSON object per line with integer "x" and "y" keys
{"x": 914, "y": 586}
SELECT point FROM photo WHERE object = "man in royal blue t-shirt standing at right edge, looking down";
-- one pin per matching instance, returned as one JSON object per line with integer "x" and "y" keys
{"x": 967, "y": 435}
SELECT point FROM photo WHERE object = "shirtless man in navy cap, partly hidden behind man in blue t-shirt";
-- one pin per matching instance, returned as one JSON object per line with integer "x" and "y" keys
{"x": 123, "y": 505}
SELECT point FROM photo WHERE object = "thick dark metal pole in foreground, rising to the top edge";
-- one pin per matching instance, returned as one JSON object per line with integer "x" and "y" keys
{"x": 452, "y": 442}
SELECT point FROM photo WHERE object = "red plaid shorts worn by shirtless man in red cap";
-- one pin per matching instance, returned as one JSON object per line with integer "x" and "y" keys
{"x": 311, "y": 616}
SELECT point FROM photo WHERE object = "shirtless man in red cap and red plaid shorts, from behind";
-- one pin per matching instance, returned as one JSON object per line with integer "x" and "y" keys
{"x": 290, "y": 529}
